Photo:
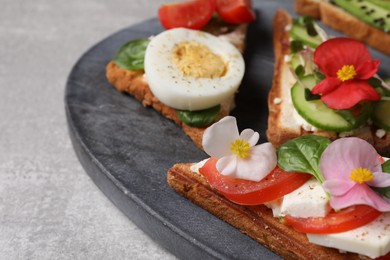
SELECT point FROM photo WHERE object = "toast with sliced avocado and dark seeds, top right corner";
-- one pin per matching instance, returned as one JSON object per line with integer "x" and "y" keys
{"x": 364, "y": 20}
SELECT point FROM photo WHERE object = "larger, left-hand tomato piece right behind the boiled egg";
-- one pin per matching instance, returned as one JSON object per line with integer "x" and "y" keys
{"x": 193, "y": 14}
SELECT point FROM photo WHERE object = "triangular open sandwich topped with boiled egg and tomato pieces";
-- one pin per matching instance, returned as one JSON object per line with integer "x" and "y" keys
{"x": 191, "y": 71}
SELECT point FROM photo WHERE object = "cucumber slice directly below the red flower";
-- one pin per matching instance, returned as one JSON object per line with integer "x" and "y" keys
{"x": 316, "y": 112}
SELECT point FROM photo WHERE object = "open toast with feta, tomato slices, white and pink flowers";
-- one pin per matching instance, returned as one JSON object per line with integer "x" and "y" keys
{"x": 309, "y": 199}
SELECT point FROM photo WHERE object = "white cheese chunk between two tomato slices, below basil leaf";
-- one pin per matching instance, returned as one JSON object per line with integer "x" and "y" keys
{"x": 309, "y": 200}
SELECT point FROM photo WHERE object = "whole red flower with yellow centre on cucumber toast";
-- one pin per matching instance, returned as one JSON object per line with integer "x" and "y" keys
{"x": 347, "y": 65}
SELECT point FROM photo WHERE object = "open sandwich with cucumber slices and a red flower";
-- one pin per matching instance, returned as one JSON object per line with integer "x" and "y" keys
{"x": 325, "y": 86}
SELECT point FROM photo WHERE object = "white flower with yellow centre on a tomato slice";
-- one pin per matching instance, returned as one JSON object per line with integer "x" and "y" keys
{"x": 238, "y": 155}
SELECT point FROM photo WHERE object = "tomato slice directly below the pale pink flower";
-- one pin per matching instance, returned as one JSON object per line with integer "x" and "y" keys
{"x": 335, "y": 222}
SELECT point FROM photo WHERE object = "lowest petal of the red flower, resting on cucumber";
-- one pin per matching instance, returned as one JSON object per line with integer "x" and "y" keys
{"x": 349, "y": 94}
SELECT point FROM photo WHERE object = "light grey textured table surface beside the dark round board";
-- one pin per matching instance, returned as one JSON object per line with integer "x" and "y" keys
{"x": 49, "y": 207}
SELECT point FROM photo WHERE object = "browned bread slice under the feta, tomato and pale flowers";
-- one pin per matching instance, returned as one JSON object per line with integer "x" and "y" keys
{"x": 255, "y": 221}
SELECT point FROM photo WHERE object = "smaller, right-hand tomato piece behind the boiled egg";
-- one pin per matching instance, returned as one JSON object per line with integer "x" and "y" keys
{"x": 236, "y": 11}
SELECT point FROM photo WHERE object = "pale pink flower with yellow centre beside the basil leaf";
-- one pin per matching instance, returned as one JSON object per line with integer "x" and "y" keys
{"x": 351, "y": 166}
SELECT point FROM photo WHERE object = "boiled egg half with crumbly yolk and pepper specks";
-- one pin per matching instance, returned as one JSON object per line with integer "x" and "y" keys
{"x": 192, "y": 70}
